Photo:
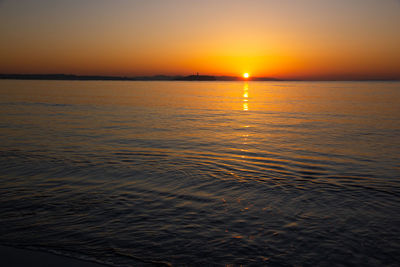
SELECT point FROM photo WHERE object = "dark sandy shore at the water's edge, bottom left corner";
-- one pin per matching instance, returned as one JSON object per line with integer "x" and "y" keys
{"x": 15, "y": 257}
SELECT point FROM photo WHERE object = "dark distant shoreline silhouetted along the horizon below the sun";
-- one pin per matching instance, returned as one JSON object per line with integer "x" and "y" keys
{"x": 72, "y": 77}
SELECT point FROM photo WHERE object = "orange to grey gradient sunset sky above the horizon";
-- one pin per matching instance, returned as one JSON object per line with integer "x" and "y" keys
{"x": 311, "y": 39}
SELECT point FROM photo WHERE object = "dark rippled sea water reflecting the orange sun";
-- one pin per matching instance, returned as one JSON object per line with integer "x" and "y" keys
{"x": 202, "y": 173}
